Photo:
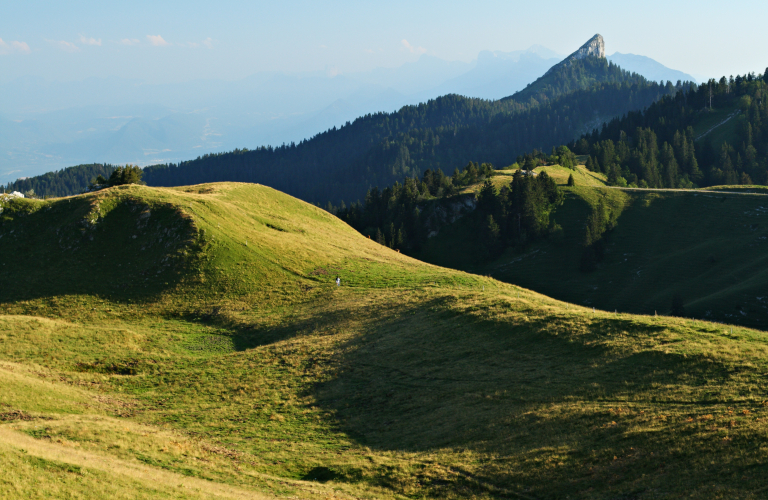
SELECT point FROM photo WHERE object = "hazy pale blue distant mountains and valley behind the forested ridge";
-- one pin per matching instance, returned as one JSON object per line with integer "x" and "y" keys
{"x": 51, "y": 125}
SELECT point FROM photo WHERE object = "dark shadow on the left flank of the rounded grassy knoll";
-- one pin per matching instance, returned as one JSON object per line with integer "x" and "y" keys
{"x": 133, "y": 251}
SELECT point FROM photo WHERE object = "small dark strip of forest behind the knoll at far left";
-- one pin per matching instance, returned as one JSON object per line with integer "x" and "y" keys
{"x": 64, "y": 182}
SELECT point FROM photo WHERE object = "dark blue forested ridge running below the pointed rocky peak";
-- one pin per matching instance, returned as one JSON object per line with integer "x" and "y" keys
{"x": 343, "y": 164}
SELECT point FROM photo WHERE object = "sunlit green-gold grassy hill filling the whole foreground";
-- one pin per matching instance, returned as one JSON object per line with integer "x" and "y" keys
{"x": 190, "y": 342}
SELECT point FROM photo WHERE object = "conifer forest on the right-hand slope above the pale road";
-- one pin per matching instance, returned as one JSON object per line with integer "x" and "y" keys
{"x": 659, "y": 148}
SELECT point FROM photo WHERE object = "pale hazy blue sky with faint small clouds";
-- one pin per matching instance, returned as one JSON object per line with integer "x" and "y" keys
{"x": 172, "y": 41}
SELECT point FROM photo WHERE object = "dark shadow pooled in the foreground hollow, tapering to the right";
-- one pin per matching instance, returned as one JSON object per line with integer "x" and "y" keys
{"x": 429, "y": 380}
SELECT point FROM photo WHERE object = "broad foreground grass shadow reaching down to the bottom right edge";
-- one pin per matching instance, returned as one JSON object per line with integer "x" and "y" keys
{"x": 530, "y": 390}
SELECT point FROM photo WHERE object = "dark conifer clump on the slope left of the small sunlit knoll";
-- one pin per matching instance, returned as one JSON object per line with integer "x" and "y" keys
{"x": 402, "y": 216}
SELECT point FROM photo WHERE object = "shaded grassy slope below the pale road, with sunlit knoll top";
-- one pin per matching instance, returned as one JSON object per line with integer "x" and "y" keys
{"x": 705, "y": 246}
